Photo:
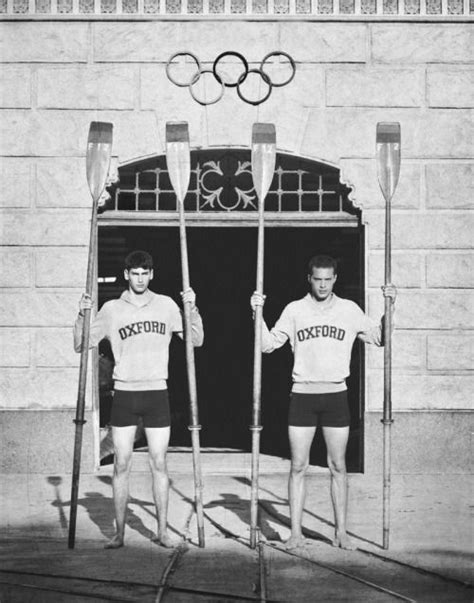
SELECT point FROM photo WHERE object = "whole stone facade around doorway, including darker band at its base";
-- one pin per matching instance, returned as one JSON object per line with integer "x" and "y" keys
{"x": 66, "y": 63}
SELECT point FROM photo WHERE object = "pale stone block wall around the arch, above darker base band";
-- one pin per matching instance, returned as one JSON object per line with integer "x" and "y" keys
{"x": 58, "y": 76}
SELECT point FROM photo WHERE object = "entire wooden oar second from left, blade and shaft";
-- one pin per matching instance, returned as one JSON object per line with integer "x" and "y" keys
{"x": 178, "y": 160}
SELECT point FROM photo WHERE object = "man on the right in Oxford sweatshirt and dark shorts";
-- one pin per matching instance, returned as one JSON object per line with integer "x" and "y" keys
{"x": 321, "y": 328}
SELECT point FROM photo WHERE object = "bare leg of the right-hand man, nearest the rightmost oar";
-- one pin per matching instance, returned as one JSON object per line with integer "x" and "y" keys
{"x": 336, "y": 444}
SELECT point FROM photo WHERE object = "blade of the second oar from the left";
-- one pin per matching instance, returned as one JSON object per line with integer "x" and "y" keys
{"x": 178, "y": 157}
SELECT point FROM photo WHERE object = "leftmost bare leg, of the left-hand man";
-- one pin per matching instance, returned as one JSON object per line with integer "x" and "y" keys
{"x": 123, "y": 438}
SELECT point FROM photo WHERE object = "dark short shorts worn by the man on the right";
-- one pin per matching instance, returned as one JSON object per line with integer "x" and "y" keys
{"x": 327, "y": 410}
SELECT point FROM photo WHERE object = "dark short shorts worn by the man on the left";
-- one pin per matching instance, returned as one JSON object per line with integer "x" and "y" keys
{"x": 153, "y": 406}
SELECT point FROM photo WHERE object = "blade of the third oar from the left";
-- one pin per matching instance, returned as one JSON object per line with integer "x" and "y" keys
{"x": 263, "y": 158}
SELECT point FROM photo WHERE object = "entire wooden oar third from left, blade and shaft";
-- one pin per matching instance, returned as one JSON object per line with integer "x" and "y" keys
{"x": 263, "y": 167}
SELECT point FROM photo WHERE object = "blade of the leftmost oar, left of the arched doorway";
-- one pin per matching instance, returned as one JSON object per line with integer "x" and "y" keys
{"x": 99, "y": 150}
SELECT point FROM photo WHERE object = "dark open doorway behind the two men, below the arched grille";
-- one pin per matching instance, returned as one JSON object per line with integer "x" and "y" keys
{"x": 223, "y": 269}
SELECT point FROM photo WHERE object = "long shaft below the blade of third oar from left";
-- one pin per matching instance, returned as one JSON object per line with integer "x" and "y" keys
{"x": 256, "y": 426}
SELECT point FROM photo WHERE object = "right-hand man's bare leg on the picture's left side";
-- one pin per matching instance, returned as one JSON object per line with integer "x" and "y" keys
{"x": 300, "y": 444}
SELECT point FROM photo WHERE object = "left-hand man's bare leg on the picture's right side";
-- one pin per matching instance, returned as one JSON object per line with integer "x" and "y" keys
{"x": 158, "y": 439}
